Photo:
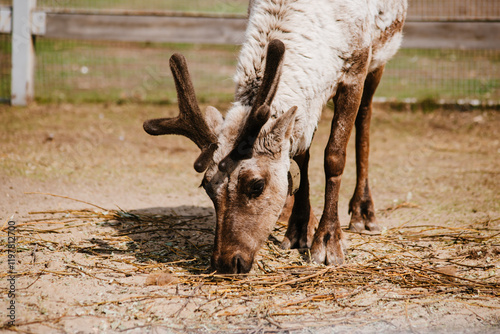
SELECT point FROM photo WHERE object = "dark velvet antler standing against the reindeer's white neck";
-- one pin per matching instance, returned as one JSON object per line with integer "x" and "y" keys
{"x": 260, "y": 112}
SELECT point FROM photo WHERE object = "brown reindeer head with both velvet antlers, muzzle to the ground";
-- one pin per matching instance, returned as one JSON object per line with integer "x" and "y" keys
{"x": 245, "y": 159}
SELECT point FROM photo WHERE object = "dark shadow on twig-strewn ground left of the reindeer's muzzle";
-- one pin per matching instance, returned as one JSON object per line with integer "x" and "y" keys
{"x": 183, "y": 236}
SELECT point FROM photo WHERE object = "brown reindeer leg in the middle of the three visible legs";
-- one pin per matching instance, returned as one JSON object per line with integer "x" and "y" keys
{"x": 329, "y": 245}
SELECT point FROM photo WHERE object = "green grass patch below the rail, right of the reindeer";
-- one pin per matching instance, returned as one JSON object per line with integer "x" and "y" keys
{"x": 442, "y": 74}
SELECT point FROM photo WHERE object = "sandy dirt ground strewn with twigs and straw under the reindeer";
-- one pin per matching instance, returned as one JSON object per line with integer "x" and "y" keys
{"x": 113, "y": 233}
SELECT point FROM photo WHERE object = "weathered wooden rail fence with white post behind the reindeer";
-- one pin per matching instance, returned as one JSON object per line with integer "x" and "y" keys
{"x": 23, "y": 20}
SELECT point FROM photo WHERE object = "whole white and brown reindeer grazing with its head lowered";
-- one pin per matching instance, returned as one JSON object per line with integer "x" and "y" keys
{"x": 297, "y": 55}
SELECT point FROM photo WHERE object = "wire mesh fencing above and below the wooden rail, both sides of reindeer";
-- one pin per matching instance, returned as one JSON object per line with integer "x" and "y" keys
{"x": 94, "y": 71}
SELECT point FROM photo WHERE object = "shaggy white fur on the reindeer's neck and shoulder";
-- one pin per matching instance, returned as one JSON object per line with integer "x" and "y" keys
{"x": 320, "y": 37}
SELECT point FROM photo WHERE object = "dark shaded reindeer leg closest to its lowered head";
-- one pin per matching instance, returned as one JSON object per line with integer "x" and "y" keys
{"x": 302, "y": 223}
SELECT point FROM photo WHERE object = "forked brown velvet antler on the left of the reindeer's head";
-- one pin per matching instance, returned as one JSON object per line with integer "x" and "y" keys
{"x": 190, "y": 122}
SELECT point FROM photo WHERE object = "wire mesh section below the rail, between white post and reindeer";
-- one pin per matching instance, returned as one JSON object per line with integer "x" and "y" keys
{"x": 138, "y": 72}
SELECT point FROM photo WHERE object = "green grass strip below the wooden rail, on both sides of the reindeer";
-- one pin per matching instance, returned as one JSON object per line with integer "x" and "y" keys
{"x": 91, "y": 71}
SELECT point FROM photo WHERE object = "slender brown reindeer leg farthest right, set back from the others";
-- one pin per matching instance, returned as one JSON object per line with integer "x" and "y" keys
{"x": 361, "y": 205}
